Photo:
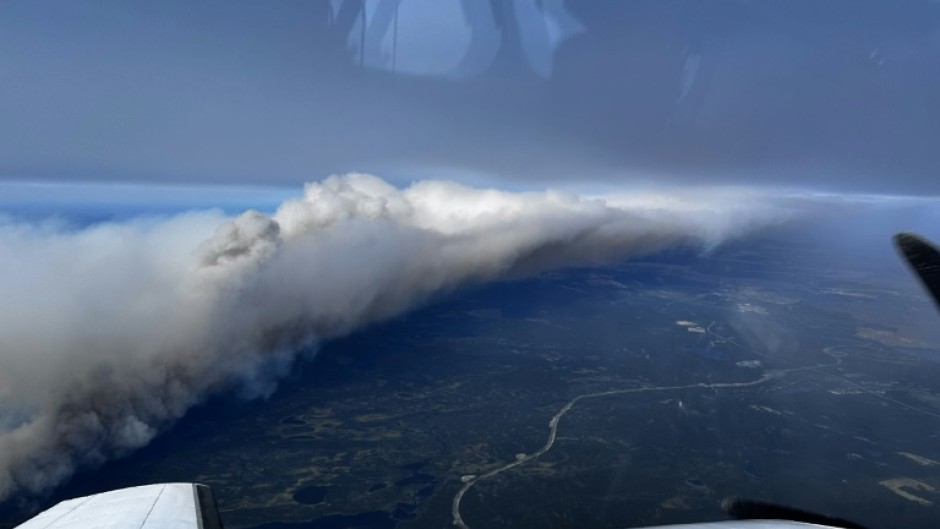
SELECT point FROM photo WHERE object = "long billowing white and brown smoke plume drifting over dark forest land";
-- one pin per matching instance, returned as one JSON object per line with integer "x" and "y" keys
{"x": 109, "y": 333}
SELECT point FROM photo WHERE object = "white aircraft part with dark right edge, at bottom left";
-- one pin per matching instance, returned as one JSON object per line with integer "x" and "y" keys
{"x": 160, "y": 506}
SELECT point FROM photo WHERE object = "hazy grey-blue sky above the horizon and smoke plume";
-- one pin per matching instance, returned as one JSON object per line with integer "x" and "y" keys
{"x": 837, "y": 95}
